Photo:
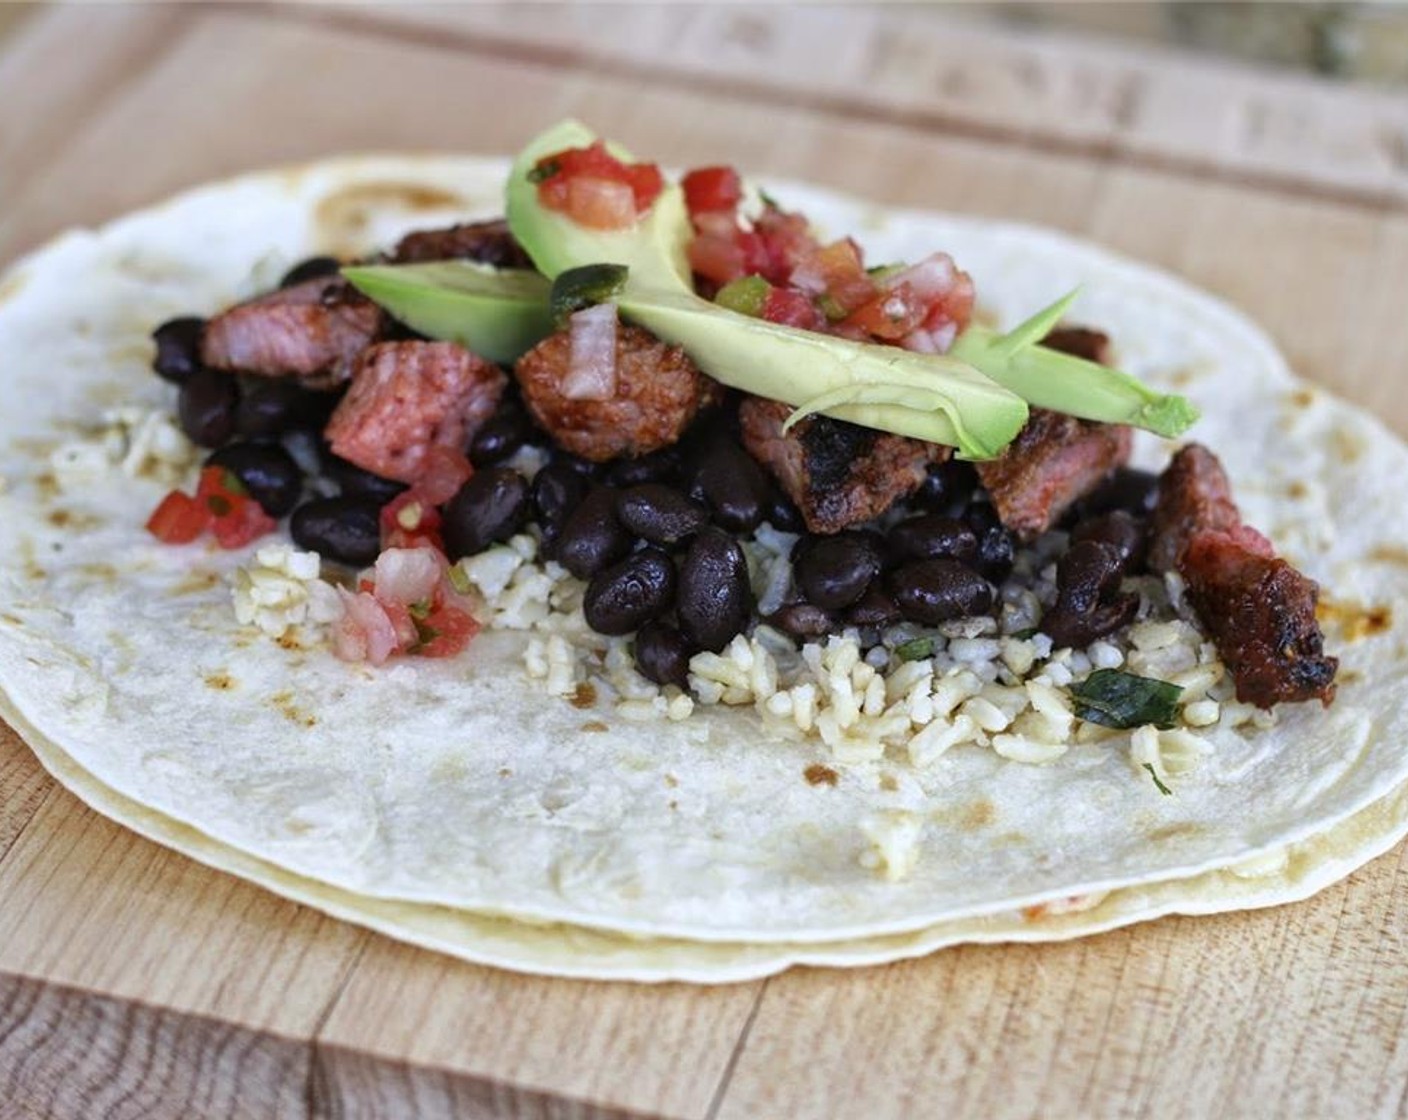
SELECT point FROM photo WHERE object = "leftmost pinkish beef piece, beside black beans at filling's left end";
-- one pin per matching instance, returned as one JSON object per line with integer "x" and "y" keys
{"x": 313, "y": 332}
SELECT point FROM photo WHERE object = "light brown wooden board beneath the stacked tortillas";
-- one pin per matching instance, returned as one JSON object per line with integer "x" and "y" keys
{"x": 136, "y": 984}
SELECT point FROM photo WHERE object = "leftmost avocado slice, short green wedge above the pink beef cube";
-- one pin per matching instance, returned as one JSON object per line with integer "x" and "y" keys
{"x": 498, "y": 313}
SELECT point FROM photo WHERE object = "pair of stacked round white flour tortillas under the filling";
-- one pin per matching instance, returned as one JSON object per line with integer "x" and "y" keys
{"x": 454, "y": 805}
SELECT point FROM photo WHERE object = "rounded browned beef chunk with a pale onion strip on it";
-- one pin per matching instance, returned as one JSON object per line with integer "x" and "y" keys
{"x": 658, "y": 394}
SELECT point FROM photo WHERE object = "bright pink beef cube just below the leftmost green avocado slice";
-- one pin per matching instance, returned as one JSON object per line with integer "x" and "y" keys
{"x": 409, "y": 397}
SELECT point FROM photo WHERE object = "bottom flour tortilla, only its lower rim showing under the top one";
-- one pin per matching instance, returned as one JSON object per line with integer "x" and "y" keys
{"x": 579, "y": 953}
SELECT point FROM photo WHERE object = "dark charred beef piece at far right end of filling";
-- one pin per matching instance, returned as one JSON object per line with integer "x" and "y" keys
{"x": 1261, "y": 614}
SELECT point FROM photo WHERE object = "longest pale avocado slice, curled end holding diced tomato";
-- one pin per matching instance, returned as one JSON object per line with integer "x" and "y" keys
{"x": 927, "y": 397}
